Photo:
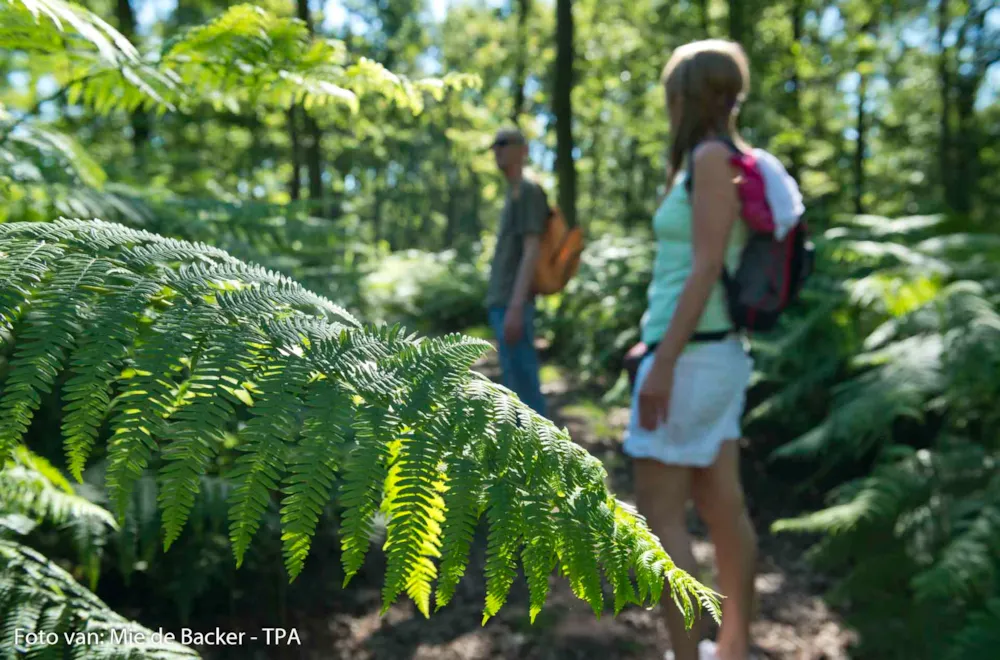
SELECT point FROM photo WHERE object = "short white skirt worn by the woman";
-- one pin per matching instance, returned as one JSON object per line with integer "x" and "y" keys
{"x": 706, "y": 405}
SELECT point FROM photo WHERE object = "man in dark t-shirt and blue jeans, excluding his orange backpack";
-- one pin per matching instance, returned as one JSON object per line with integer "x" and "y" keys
{"x": 509, "y": 299}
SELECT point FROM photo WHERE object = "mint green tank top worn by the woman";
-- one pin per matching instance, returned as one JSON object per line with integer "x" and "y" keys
{"x": 672, "y": 266}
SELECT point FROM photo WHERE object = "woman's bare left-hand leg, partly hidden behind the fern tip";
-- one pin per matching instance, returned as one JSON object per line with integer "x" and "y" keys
{"x": 662, "y": 493}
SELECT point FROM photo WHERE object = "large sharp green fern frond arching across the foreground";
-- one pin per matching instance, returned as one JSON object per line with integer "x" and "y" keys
{"x": 400, "y": 425}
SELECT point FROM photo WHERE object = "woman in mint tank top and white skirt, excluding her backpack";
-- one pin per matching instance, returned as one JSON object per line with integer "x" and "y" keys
{"x": 690, "y": 386}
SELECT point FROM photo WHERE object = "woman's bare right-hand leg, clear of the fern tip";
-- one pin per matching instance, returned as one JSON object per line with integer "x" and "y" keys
{"x": 718, "y": 496}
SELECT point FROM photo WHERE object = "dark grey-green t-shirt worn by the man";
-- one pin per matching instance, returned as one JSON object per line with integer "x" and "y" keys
{"x": 520, "y": 217}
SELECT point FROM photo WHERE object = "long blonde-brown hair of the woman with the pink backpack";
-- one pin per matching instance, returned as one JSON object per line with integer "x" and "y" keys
{"x": 705, "y": 81}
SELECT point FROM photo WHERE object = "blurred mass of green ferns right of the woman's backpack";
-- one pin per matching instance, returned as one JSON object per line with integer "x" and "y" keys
{"x": 912, "y": 324}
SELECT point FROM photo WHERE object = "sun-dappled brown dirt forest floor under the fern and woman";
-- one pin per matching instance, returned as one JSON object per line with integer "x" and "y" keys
{"x": 792, "y": 621}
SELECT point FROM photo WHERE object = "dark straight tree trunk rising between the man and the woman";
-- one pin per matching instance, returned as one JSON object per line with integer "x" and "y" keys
{"x": 562, "y": 107}
